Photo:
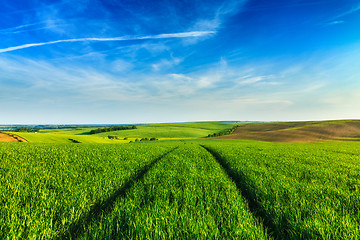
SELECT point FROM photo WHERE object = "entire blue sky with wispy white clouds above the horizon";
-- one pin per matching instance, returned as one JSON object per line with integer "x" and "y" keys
{"x": 108, "y": 61}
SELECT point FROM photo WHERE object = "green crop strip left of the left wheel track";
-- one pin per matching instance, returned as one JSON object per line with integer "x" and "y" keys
{"x": 44, "y": 188}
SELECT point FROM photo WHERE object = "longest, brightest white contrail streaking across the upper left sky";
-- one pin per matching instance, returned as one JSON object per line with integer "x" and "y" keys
{"x": 127, "y": 38}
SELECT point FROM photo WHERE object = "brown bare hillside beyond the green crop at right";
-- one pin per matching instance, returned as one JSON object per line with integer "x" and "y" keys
{"x": 312, "y": 131}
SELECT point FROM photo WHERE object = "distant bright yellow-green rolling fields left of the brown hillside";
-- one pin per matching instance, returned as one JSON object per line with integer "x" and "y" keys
{"x": 159, "y": 131}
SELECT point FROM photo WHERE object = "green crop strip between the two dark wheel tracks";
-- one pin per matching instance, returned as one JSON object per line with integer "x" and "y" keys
{"x": 186, "y": 195}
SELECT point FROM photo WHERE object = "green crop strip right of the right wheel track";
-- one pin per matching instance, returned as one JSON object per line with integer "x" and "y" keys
{"x": 301, "y": 190}
